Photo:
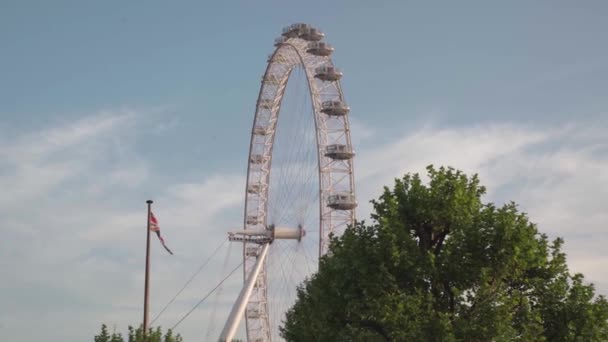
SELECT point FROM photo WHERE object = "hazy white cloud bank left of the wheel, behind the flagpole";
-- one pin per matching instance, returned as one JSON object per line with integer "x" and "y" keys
{"x": 73, "y": 220}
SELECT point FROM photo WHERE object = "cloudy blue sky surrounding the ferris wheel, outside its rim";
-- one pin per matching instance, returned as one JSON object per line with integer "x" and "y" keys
{"x": 106, "y": 104}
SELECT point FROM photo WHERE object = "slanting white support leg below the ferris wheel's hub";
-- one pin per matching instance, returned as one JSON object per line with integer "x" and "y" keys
{"x": 238, "y": 310}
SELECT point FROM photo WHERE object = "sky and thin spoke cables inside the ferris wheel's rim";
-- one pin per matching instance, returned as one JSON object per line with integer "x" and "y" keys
{"x": 293, "y": 192}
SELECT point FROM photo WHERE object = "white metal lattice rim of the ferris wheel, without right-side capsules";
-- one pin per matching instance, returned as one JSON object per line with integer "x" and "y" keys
{"x": 335, "y": 175}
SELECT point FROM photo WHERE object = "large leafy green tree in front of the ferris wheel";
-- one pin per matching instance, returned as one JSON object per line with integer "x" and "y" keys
{"x": 438, "y": 264}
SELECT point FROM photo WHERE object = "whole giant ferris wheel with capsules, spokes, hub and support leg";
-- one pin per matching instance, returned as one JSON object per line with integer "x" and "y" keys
{"x": 300, "y": 182}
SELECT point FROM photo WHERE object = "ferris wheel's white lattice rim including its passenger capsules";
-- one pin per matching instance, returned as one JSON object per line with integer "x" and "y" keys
{"x": 300, "y": 46}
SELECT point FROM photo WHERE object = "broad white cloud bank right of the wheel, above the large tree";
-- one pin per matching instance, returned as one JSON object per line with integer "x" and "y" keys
{"x": 558, "y": 175}
